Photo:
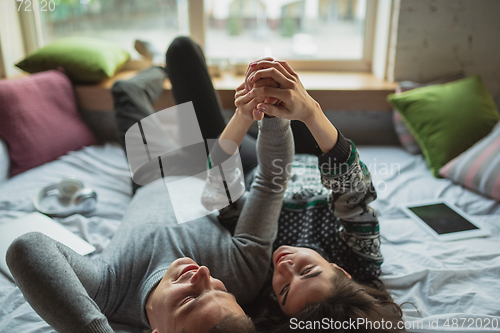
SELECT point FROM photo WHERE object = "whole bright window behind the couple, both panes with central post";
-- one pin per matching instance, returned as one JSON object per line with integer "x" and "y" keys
{"x": 310, "y": 34}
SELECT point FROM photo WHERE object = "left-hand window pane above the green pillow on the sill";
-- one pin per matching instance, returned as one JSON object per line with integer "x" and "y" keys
{"x": 120, "y": 21}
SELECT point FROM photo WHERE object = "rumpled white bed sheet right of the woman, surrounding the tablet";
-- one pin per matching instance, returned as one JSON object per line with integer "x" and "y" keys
{"x": 447, "y": 282}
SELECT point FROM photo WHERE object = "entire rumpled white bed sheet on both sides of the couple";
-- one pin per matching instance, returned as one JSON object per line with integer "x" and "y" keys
{"x": 458, "y": 279}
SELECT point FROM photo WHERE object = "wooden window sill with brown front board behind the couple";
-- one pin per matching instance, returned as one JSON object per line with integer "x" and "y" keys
{"x": 334, "y": 91}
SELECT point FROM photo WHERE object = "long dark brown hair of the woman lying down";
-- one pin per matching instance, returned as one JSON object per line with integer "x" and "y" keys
{"x": 350, "y": 307}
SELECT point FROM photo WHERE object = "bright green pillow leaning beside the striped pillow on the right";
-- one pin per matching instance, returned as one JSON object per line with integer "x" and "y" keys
{"x": 447, "y": 119}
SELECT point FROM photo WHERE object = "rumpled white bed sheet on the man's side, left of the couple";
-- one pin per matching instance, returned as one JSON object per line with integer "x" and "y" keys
{"x": 102, "y": 168}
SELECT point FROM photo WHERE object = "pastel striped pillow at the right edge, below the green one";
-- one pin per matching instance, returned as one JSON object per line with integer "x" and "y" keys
{"x": 478, "y": 168}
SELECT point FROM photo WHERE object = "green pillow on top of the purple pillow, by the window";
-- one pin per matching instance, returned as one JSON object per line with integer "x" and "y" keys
{"x": 86, "y": 60}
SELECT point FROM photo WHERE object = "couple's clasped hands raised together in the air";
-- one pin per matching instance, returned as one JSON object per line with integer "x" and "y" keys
{"x": 272, "y": 87}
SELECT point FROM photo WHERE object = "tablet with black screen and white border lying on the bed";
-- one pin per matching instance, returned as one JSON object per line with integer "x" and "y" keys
{"x": 443, "y": 220}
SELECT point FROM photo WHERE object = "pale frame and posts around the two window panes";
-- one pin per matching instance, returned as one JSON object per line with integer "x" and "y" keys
{"x": 33, "y": 39}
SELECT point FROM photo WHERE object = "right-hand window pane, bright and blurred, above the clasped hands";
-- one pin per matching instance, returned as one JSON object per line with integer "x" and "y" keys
{"x": 312, "y": 30}
